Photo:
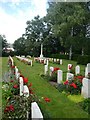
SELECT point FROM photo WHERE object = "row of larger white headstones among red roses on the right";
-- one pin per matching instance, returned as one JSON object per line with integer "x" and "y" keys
{"x": 85, "y": 90}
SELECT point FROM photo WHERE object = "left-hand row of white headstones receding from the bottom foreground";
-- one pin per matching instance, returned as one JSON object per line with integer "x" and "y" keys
{"x": 24, "y": 91}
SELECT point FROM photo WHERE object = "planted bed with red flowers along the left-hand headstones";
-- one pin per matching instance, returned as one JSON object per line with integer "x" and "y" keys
{"x": 18, "y": 106}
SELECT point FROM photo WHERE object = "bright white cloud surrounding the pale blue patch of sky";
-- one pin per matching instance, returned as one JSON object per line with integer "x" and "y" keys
{"x": 13, "y": 26}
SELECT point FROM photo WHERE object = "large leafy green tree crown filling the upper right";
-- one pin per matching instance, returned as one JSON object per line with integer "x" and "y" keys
{"x": 69, "y": 20}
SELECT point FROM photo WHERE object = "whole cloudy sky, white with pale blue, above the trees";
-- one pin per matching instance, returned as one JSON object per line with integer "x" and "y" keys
{"x": 15, "y": 13}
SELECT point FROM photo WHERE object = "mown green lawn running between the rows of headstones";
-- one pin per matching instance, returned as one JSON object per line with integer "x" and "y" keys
{"x": 61, "y": 105}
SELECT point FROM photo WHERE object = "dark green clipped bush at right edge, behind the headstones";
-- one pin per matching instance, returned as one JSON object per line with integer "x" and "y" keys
{"x": 83, "y": 59}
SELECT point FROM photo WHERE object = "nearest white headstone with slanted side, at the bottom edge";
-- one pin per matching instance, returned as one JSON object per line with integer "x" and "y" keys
{"x": 36, "y": 112}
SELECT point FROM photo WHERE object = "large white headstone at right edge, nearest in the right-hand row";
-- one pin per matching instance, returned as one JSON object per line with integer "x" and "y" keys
{"x": 85, "y": 91}
